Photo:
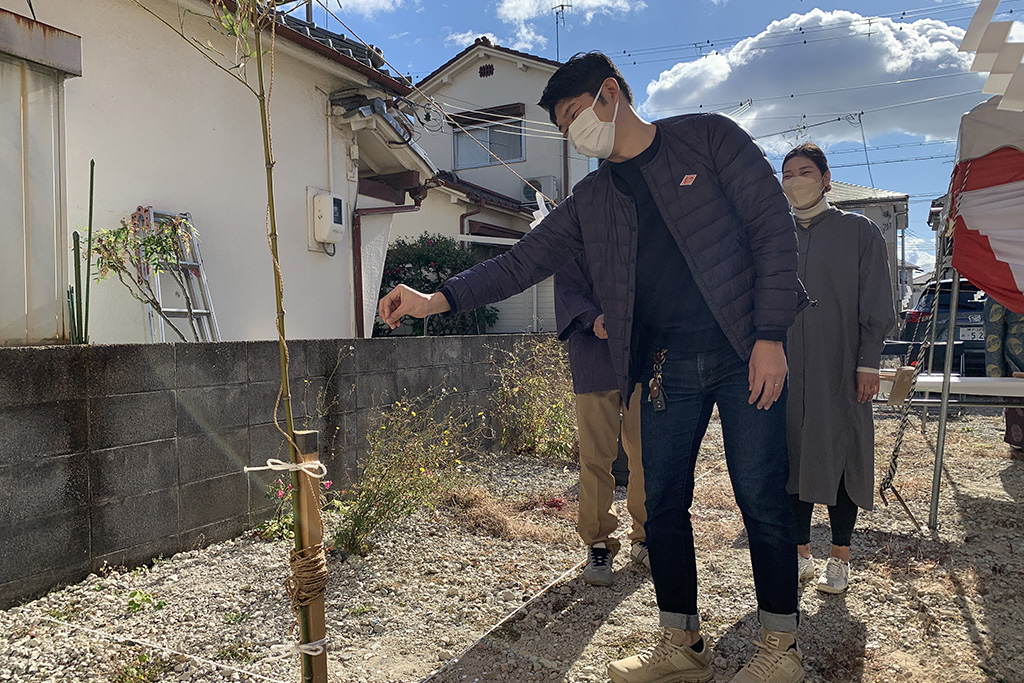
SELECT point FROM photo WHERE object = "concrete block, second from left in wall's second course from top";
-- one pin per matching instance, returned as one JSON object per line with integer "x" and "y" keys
{"x": 132, "y": 419}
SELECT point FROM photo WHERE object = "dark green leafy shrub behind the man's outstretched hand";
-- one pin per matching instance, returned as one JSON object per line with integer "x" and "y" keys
{"x": 424, "y": 265}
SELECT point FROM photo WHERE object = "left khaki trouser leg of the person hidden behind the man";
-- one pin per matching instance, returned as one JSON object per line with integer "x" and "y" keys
{"x": 598, "y": 419}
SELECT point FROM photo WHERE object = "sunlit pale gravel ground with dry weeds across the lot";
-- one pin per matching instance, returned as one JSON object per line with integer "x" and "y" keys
{"x": 943, "y": 606}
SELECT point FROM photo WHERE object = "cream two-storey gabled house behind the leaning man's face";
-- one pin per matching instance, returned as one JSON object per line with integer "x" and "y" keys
{"x": 488, "y": 95}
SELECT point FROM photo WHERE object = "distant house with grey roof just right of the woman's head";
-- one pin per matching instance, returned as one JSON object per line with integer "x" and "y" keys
{"x": 889, "y": 211}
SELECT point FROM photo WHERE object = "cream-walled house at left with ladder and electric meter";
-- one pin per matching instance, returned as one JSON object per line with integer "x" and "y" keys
{"x": 168, "y": 130}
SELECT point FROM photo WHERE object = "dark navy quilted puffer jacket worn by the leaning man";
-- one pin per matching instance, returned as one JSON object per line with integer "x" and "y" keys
{"x": 727, "y": 211}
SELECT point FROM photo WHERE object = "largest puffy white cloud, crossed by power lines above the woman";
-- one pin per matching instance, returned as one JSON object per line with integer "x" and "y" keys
{"x": 842, "y": 51}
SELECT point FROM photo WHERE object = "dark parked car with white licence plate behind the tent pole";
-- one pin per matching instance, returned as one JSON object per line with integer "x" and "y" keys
{"x": 969, "y": 343}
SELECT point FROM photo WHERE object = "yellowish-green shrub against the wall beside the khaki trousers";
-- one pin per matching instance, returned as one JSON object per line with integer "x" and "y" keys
{"x": 535, "y": 403}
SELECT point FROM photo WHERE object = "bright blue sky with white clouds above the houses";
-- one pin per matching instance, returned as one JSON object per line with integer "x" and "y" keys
{"x": 887, "y": 73}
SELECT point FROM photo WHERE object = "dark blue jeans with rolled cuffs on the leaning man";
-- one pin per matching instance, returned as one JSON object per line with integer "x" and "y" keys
{"x": 757, "y": 458}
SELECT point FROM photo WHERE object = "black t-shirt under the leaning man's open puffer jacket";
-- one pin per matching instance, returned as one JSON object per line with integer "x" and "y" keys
{"x": 669, "y": 311}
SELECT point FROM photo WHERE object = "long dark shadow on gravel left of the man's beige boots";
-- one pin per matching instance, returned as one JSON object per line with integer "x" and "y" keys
{"x": 524, "y": 648}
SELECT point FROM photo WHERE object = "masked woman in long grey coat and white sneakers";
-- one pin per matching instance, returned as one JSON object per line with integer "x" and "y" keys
{"x": 835, "y": 350}
